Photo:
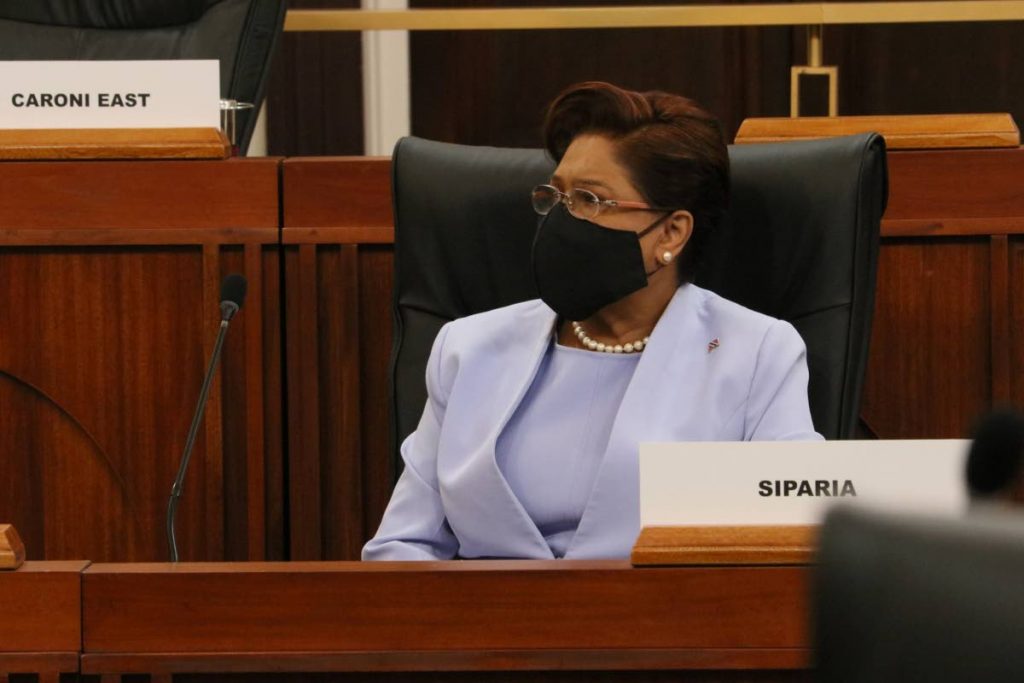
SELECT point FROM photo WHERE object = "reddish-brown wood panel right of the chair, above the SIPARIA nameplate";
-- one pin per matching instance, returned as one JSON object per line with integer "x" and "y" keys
{"x": 929, "y": 373}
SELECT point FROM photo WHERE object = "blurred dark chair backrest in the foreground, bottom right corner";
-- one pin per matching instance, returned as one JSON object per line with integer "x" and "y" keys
{"x": 900, "y": 599}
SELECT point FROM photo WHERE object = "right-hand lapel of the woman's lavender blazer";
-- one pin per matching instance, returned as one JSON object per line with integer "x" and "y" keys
{"x": 660, "y": 391}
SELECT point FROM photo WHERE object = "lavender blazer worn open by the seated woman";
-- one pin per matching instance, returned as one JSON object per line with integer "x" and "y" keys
{"x": 713, "y": 371}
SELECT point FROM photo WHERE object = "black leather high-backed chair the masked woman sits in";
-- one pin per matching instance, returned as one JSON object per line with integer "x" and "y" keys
{"x": 800, "y": 243}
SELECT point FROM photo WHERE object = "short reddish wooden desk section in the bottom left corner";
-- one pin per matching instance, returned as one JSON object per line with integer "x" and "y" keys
{"x": 40, "y": 620}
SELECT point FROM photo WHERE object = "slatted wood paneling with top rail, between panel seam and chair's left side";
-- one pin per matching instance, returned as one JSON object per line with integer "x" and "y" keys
{"x": 338, "y": 324}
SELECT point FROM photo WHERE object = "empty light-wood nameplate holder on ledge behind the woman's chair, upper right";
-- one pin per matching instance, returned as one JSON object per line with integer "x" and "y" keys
{"x": 931, "y": 132}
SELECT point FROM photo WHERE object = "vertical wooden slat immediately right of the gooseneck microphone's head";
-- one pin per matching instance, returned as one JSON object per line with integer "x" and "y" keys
{"x": 254, "y": 405}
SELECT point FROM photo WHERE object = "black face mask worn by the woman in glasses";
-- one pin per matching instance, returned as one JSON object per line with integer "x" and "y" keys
{"x": 581, "y": 268}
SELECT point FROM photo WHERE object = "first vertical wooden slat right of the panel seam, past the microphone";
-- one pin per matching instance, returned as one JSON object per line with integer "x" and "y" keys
{"x": 304, "y": 408}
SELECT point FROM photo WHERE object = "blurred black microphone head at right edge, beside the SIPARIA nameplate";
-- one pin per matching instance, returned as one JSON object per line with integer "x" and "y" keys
{"x": 994, "y": 464}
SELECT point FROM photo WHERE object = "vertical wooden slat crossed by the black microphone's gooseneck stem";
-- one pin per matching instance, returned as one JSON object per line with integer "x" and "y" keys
{"x": 212, "y": 433}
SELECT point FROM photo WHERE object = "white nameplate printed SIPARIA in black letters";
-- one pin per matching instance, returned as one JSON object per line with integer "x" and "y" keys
{"x": 794, "y": 483}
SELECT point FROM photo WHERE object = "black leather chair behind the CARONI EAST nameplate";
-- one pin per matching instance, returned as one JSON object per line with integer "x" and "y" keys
{"x": 241, "y": 34}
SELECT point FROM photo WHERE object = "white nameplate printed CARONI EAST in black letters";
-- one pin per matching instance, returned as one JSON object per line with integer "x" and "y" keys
{"x": 172, "y": 94}
